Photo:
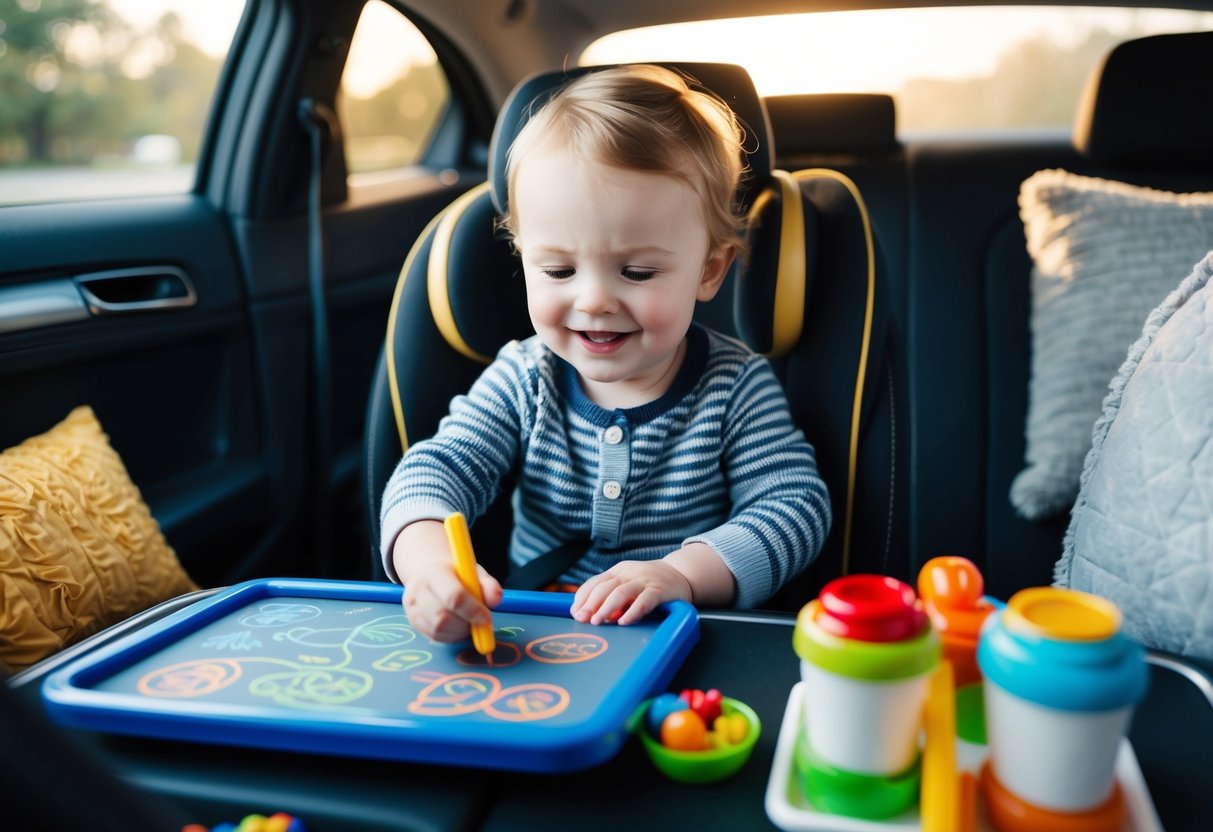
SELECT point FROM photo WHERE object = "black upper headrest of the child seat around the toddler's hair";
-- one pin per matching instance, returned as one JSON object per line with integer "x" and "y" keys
{"x": 730, "y": 82}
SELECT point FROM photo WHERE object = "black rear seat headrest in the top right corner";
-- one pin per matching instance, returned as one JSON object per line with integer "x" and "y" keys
{"x": 1151, "y": 104}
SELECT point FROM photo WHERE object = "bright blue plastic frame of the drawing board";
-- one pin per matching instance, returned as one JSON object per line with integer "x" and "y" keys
{"x": 79, "y": 696}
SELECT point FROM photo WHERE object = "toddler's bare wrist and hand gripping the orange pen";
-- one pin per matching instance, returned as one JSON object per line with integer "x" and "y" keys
{"x": 435, "y": 600}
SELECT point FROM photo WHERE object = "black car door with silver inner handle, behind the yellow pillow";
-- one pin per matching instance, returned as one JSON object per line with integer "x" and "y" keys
{"x": 121, "y": 297}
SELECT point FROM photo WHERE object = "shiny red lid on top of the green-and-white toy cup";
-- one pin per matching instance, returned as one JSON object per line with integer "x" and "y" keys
{"x": 870, "y": 608}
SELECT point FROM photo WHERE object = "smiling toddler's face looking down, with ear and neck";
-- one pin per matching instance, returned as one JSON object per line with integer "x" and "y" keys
{"x": 614, "y": 261}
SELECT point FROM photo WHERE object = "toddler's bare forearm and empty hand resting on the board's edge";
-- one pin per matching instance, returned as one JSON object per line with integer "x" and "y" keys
{"x": 631, "y": 590}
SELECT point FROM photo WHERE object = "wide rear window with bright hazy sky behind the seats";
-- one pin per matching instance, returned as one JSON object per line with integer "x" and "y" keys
{"x": 955, "y": 69}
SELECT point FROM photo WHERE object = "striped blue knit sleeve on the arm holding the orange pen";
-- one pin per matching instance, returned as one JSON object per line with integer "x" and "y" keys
{"x": 460, "y": 469}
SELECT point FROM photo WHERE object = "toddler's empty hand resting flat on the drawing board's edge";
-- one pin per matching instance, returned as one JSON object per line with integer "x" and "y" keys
{"x": 629, "y": 591}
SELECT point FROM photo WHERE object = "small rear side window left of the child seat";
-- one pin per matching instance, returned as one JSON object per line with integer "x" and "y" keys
{"x": 394, "y": 94}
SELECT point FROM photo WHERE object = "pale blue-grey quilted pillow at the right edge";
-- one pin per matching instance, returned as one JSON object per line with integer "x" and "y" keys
{"x": 1142, "y": 532}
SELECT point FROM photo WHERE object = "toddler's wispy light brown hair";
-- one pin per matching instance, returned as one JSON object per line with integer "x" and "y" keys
{"x": 645, "y": 118}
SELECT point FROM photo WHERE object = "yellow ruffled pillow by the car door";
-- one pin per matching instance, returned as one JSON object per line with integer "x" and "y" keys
{"x": 79, "y": 549}
